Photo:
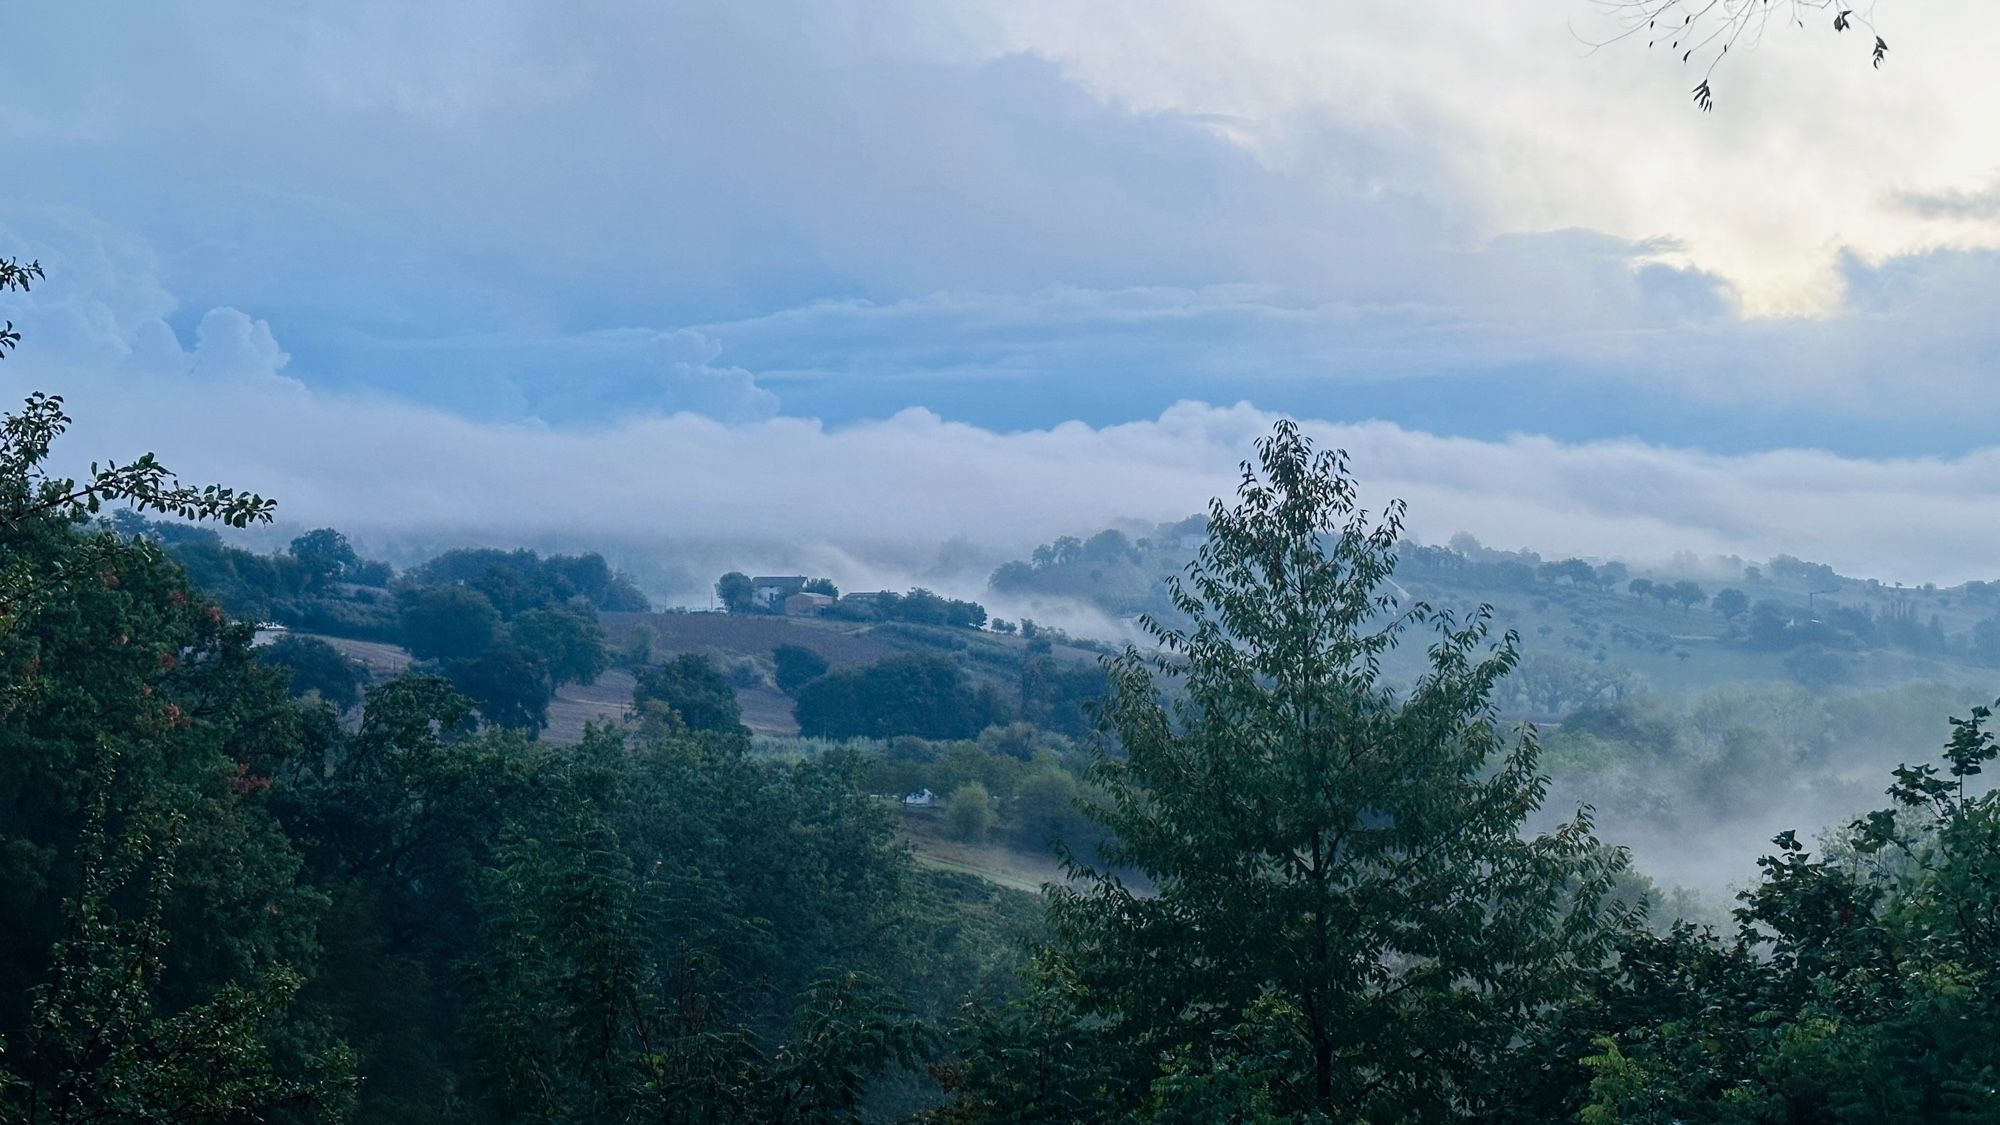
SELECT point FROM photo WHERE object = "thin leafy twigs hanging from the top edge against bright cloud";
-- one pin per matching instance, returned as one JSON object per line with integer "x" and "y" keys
{"x": 1705, "y": 33}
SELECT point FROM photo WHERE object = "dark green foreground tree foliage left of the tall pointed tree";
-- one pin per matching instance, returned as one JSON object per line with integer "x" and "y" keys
{"x": 221, "y": 906}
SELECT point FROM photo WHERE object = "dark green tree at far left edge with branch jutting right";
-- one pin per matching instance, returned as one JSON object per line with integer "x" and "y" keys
{"x": 153, "y": 926}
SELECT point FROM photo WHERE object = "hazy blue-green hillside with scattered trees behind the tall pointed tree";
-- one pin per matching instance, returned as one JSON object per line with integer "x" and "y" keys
{"x": 1601, "y": 630}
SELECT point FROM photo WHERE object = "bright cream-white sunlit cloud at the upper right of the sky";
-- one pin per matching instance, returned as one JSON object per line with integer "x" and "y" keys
{"x": 1509, "y": 125}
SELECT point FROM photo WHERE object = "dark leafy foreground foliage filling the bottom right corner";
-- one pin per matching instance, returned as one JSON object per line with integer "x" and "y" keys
{"x": 1859, "y": 986}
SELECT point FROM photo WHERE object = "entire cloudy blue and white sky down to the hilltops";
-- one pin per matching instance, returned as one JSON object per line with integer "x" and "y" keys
{"x": 901, "y": 287}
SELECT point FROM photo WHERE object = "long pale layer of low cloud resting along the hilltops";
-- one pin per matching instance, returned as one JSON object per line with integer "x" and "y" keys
{"x": 887, "y": 495}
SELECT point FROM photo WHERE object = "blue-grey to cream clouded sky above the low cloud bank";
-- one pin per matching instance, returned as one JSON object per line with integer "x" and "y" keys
{"x": 1113, "y": 209}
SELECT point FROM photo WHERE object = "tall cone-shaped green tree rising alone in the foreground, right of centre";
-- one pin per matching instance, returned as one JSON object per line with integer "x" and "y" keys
{"x": 1333, "y": 864}
